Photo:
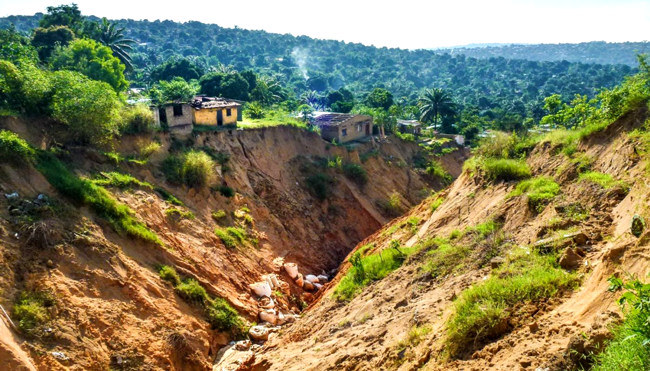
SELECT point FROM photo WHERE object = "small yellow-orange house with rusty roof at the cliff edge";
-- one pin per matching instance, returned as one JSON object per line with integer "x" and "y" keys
{"x": 215, "y": 111}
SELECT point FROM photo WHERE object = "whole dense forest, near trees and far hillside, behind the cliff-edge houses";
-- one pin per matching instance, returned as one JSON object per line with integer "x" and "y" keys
{"x": 172, "y": 59}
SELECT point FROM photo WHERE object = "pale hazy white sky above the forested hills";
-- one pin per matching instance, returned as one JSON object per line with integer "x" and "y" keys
{"x": 402, "y": 23}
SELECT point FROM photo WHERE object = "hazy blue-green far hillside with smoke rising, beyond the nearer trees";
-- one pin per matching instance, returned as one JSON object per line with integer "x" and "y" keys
{"x": 304, "y": 64}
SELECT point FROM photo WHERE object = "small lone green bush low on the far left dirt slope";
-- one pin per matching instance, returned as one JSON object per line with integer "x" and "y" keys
{"x": 31, "y": 311}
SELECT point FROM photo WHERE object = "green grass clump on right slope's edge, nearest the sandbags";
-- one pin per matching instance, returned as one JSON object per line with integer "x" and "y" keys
{"x": 370, "y": 268}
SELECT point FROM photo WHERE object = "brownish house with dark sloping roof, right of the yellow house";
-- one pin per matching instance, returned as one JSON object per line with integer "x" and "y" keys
{"x": 343, "y": 127}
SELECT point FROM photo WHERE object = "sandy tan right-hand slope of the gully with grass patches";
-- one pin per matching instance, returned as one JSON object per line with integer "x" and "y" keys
{"x": 404, "y": 321}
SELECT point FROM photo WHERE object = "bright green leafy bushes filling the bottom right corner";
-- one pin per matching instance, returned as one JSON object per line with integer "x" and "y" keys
{"x": 628, "y": 350}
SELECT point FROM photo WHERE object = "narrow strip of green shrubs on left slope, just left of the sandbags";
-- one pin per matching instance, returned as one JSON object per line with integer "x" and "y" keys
{"x": 218, "y": 311}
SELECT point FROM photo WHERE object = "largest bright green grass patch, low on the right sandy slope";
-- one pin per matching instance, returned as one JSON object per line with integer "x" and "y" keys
{"x": 482, "y": 311}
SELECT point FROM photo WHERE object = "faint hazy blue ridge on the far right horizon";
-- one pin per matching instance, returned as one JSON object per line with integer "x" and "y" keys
{"x": 592, "y": 52}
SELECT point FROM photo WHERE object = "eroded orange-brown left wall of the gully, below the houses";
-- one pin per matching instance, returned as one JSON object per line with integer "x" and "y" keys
{"x": 107, "y": 306}
